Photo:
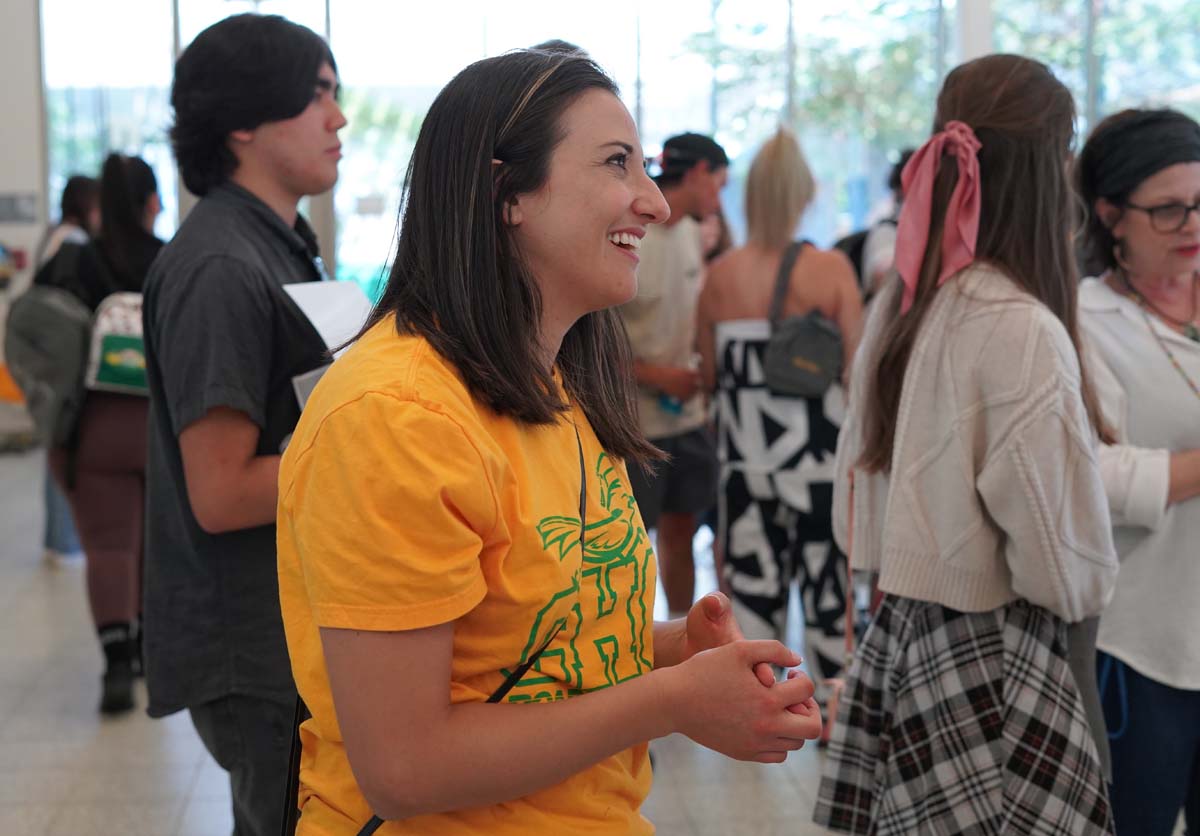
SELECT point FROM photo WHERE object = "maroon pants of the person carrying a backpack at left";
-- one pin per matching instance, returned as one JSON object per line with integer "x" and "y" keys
{"x": 109, "y": 501}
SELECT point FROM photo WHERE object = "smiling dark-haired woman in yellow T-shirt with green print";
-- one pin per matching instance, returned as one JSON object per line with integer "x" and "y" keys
{"x": 467, "y": 586}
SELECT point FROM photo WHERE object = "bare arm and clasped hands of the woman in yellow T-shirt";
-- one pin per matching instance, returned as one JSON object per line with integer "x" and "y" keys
{"x": 415, "y": 751}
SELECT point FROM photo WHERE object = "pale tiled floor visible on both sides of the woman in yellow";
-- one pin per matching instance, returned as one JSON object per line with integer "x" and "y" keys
{"x": 65, "y": 772}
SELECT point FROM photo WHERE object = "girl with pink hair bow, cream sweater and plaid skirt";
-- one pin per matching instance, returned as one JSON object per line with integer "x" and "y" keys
{"x": 968, "y": 482}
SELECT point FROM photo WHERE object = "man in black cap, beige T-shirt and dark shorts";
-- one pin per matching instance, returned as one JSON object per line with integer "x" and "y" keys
{"x": 662, "y": 324}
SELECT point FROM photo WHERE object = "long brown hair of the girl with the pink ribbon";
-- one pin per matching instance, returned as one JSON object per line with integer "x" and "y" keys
{"x": 1024, "y": 119}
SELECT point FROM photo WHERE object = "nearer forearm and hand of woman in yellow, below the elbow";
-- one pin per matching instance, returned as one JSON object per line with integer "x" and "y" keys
{"x": 470, "y": 755}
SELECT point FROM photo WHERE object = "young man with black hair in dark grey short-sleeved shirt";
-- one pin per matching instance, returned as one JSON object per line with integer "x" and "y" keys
{"x": 256, "y": 130}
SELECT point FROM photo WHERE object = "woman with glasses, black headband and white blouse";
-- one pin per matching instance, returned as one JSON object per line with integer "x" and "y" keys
{"x": 1139, "y": 175}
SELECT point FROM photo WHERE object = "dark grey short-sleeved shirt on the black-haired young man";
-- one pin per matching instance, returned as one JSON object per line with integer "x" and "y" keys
{"x": 220, "y": 332}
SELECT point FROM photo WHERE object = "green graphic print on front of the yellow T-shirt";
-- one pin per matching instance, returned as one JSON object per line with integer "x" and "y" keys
{"x": 605, "y": 612}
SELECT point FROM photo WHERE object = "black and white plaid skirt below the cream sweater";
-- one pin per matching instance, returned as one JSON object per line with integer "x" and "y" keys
{"x": 963, "y": 724}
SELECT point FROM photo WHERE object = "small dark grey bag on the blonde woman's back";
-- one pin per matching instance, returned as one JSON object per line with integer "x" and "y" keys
{"x": 805, "y": 354}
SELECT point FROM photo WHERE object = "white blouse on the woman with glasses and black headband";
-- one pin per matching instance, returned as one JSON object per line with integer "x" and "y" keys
{"x": 1153, "y": 623}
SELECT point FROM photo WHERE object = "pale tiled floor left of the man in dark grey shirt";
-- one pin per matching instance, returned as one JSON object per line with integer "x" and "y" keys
{"x": 63, "y": 769}
